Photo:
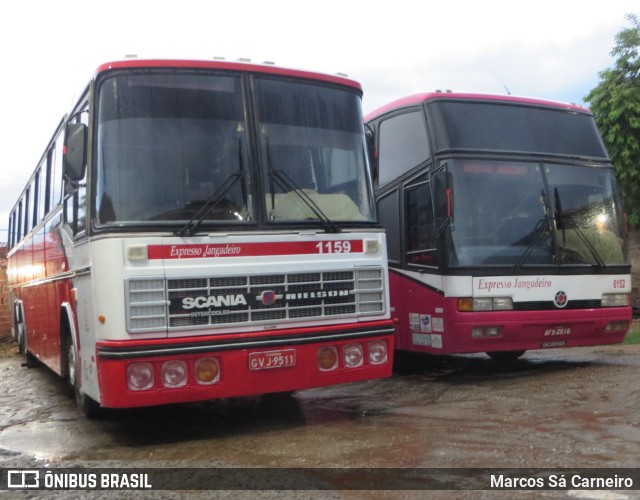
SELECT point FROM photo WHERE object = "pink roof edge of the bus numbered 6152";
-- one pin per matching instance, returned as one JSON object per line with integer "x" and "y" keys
{"x": 419, "y": 98}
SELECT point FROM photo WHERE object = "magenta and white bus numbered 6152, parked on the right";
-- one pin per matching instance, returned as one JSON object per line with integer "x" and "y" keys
{"x": 505, "y": 229}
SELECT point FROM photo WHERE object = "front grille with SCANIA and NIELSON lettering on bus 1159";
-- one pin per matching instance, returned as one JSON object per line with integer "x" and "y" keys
{"x": 160, "y": 303}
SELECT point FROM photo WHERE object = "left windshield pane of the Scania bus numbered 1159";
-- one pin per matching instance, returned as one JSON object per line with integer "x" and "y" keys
{"x": 166, "y": 143}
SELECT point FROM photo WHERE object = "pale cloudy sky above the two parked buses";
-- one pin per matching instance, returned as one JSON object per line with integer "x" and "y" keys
{"x": 50, "y": 48}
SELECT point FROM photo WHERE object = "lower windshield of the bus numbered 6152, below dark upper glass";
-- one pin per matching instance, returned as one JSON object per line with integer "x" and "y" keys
{"x": 527, "y": 214}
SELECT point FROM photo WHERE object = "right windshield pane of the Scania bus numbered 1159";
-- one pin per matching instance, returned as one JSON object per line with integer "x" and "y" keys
{"x": 313, "y": 153}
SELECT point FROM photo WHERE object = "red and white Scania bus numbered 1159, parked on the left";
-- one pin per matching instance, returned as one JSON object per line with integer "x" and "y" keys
{"x": 199, "y": 230}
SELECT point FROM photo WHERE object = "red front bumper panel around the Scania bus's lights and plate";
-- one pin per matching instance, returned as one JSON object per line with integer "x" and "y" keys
{"x": 237, "y": 378}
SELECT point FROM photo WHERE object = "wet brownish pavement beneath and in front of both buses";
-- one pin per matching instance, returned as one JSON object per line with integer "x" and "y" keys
{"x": 550, "y": 409}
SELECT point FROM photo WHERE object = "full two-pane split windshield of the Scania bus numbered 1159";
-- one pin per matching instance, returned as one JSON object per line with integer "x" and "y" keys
{"x": 175, "y": 149}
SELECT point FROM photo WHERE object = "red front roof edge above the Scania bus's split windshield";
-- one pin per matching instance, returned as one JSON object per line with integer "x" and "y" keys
{"x": 265, "y": 68}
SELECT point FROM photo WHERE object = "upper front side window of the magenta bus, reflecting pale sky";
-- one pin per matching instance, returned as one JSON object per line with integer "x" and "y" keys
{"x": 403, "y": 145}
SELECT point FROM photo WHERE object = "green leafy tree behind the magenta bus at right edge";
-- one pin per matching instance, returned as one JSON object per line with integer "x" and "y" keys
{"x": 615, "y": 104}
